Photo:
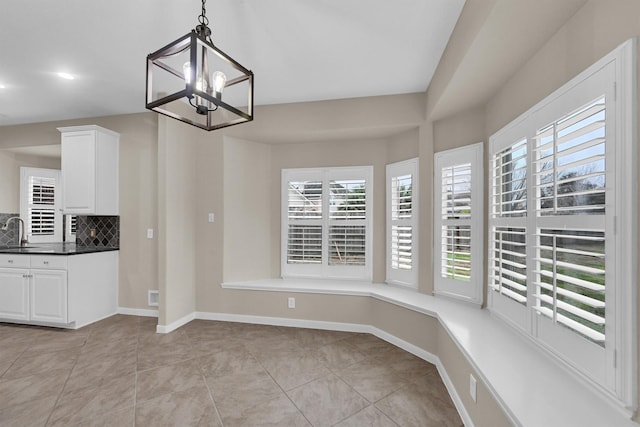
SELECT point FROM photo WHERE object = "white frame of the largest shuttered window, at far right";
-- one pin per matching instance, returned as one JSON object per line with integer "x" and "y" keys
{"x": 616, "y": 378}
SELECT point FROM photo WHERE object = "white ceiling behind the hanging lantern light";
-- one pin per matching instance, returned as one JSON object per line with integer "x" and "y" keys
{"x": 299, "y": 50}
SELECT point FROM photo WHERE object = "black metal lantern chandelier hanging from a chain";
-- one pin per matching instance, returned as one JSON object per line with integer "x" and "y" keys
{"x": 193, "y": 81}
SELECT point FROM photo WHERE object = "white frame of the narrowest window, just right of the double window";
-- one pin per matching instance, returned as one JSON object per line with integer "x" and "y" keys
{"x": 407, "y": 278}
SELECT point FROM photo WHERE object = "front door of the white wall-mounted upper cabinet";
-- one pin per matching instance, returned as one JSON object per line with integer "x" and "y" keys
{"x": 78, "y": 172}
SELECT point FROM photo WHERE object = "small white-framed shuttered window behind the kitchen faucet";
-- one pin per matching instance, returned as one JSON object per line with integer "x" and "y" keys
{"x": 40, "y": 204}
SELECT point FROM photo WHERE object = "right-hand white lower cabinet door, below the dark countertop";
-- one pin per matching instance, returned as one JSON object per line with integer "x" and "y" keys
{"x": 49, "y": 296}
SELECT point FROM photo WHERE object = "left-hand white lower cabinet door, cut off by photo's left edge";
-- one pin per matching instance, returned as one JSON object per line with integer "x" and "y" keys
{"x": 14, "y": 293}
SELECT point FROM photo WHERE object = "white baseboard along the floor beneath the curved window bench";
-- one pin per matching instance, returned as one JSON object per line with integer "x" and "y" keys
{"x": 350, "y": 327}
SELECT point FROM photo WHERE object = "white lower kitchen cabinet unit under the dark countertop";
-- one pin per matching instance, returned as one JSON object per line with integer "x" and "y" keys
{"x": 58, "y": 290}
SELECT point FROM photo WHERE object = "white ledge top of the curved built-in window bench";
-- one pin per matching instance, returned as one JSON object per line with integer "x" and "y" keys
{"x": 531, "y": 387}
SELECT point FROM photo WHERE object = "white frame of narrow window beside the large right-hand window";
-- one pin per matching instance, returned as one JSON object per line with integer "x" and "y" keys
{"x": 470, "y": 291}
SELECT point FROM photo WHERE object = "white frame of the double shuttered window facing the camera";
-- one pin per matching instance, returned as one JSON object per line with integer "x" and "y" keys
{"x": 325, "y": 270}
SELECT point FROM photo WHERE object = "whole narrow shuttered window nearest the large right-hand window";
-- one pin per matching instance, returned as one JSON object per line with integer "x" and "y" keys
{"x": 458, "y": 215}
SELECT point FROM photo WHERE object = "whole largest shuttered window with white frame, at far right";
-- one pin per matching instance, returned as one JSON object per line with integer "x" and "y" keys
{"x": 562, "y": 227}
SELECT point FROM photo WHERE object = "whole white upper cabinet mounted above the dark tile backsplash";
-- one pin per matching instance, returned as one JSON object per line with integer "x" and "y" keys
{"x": 90, "y": 170}
